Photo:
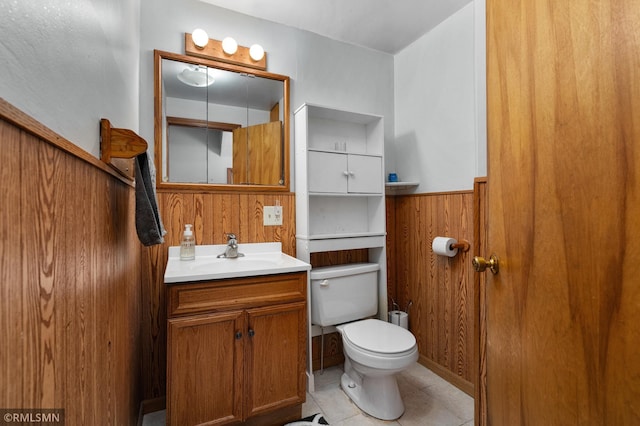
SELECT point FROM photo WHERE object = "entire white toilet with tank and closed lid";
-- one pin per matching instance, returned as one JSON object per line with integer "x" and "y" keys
{"x": 374, "y": 350}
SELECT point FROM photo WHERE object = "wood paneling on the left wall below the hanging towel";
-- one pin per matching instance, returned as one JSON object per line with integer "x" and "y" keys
{"x": 69, "y": 279}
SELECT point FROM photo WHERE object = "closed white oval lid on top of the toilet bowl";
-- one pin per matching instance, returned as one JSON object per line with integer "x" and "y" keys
{"x": 379, "y": 336}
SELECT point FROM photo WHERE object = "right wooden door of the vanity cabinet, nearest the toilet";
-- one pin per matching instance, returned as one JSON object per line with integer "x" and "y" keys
{"x": 275, "y": 357}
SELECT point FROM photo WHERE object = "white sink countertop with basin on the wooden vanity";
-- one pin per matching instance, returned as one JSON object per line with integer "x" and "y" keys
{"x": 258, "y": 259}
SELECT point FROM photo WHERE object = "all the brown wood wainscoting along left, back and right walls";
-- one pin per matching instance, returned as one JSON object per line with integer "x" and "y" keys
{"x": 71, "y": 264}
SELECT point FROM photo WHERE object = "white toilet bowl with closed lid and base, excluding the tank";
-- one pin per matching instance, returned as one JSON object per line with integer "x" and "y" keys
{"x": 374, "y": 352}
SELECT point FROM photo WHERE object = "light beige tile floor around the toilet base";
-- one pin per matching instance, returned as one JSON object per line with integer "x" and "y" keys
{"x": 428, "y": 399}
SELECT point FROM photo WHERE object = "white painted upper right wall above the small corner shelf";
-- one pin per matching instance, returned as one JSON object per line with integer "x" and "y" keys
{"x": 438, "y": 140}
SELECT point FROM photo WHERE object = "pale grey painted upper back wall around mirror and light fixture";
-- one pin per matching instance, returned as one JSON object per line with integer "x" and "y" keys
{"x": 322, "y": 71}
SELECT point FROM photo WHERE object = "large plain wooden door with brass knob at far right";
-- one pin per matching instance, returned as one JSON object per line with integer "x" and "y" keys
{"x": 563, "y": 314}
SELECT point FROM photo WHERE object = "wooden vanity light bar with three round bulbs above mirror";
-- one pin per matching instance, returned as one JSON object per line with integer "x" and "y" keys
{"x": 226, "y": 50}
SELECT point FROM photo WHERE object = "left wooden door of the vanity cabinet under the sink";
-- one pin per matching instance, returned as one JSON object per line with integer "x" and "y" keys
{"x": 205, "y": 369}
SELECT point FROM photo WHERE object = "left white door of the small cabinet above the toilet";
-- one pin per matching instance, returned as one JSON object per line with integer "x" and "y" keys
{"x": 327, "y": 172}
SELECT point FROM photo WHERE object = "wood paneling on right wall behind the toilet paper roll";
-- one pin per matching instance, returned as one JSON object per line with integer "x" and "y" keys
{"x": 441, "y": 288}
